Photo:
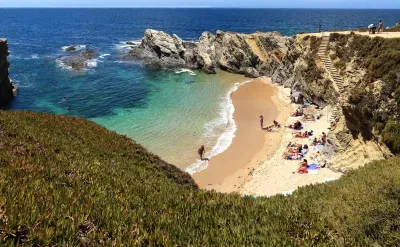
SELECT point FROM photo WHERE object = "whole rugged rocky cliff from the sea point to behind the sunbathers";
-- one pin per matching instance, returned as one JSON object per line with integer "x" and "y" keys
{"x": 304, "y": 63}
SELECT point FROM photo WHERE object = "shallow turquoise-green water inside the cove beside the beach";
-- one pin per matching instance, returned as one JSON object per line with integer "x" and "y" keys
{"x": 182, "y": 112}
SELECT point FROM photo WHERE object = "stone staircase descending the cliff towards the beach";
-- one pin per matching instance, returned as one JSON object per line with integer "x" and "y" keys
{"x": 337, "y": 80}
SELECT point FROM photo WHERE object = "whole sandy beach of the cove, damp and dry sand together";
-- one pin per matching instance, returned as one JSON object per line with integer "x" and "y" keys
{"x": 253, "y": 164}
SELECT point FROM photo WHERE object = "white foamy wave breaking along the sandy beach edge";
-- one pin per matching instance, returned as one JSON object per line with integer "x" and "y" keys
{"x": 225, "y": 121}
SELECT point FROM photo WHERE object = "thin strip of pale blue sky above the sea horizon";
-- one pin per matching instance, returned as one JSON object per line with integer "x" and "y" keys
{"x": 389, "y": 4}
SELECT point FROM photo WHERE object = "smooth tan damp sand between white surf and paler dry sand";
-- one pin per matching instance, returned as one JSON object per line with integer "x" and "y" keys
{"x": 228, "y": 171}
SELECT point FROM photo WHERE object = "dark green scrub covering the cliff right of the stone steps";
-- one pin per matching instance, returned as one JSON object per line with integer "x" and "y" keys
{"x": 380, "y": 58}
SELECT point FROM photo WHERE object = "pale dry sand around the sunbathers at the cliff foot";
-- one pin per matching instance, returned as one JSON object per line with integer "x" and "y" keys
{"x": 279, "y": 176}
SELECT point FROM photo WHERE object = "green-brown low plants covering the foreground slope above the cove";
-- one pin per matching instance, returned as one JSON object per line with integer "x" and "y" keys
{"x": 68, "y": 182}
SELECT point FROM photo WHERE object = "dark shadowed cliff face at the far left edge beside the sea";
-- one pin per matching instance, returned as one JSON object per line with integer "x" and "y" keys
{"x": 7, "y": 90}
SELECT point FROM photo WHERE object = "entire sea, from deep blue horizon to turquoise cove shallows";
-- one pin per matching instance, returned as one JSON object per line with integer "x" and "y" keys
{"x": 168, "y": 112}
